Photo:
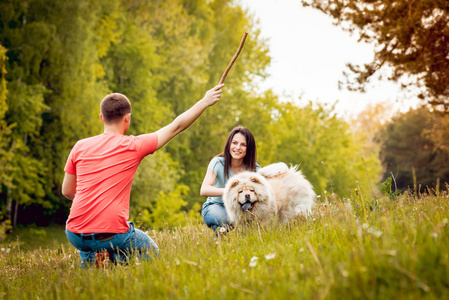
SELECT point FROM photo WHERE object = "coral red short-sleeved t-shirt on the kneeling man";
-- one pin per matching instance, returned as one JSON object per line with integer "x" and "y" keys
{"x": 104, "y": 166}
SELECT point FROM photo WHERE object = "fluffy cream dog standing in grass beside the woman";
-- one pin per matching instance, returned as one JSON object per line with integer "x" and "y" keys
{"x": 274, "y": 190}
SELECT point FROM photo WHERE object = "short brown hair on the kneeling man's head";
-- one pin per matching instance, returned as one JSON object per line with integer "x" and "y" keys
{"x": 114, "y": 107}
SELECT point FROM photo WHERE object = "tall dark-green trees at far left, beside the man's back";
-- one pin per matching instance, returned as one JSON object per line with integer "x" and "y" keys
{"x": 54, "y": 81}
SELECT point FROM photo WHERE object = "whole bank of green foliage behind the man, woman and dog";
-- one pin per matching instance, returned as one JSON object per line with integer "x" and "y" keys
{"x": 63, "y": 57}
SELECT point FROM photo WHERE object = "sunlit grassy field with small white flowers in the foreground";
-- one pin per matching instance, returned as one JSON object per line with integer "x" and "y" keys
{"x": 357, "y": 248}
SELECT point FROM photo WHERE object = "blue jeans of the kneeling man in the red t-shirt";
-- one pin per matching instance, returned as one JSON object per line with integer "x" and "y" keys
{"x": 134, "y": 241}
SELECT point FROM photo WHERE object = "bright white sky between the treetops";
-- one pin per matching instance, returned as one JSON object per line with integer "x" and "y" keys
{"x": 309, "y": 55}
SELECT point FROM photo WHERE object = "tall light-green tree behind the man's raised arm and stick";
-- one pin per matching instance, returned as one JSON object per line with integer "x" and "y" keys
{"x": 187, "y": 39}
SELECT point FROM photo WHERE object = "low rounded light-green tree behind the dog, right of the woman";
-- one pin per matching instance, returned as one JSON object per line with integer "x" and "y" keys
{"x": 328, "y": 153}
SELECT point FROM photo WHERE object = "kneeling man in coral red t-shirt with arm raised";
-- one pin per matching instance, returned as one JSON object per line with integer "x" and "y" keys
{"x": 99, "y": 174}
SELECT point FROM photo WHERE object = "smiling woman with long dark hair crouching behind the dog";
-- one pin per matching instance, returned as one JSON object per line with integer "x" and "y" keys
{"x": 239, "y": 154}
